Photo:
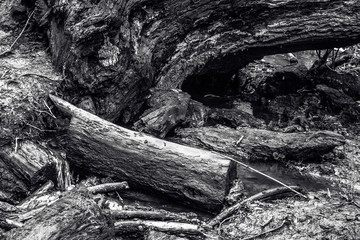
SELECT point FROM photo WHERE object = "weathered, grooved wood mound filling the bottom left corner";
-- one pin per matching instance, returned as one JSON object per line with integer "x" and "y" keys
{"x": 74, "y": 216}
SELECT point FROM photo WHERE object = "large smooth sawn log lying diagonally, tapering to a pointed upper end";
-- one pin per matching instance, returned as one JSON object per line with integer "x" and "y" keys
{"x": 191, "y": 175}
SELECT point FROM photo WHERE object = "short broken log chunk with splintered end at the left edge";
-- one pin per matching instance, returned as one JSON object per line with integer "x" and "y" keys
{"x": 24, "y": 165}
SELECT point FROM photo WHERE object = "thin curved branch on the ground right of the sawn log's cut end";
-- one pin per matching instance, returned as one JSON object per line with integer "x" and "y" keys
{"x": 262, "y": 195}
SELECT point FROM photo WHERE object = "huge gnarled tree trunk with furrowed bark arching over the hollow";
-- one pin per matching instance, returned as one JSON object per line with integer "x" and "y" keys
{"x": 114, "y": 51}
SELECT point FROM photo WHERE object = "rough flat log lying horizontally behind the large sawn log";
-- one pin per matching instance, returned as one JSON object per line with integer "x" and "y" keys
{"x": 261, "y": 145}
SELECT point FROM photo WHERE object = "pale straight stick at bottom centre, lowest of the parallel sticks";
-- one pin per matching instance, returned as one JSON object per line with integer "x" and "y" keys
{"x": 169, "y": 227}
